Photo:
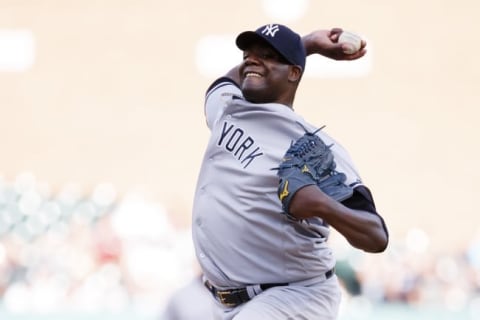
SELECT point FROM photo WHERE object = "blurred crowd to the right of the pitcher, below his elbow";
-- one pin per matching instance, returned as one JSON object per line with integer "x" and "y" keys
{"x": 411, "y": 274}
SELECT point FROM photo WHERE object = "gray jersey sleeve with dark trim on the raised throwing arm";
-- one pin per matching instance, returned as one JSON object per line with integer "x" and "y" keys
{"x": 217, "y": 96}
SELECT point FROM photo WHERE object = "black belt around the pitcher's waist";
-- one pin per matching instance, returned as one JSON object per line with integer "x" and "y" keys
{"x": 235, "y": 297}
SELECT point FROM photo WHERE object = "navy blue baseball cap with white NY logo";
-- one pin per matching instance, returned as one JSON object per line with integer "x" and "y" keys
{"x": 285, "y": 41}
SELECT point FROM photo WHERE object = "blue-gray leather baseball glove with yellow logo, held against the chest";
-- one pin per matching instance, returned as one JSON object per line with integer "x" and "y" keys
{"x": 309, "y": 161}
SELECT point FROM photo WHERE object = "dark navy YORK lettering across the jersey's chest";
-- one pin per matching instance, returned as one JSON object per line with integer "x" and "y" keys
{"x": 241, "y": 146}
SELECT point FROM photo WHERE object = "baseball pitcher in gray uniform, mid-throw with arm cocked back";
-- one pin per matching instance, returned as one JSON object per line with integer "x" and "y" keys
{"x": 272, "y": 185}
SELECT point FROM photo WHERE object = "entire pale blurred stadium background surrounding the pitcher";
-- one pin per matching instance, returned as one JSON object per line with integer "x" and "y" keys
{"x": 102, "y": 135}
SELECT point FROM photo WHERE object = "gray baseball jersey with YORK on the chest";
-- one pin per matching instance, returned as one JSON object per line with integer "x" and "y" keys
{"x": 240, "y": 234}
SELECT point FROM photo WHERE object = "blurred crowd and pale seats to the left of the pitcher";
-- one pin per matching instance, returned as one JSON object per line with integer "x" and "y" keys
{"x": 72, "y": 250}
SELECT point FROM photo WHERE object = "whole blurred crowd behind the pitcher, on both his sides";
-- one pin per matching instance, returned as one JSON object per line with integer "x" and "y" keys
{"x": 75, "y": 251}
